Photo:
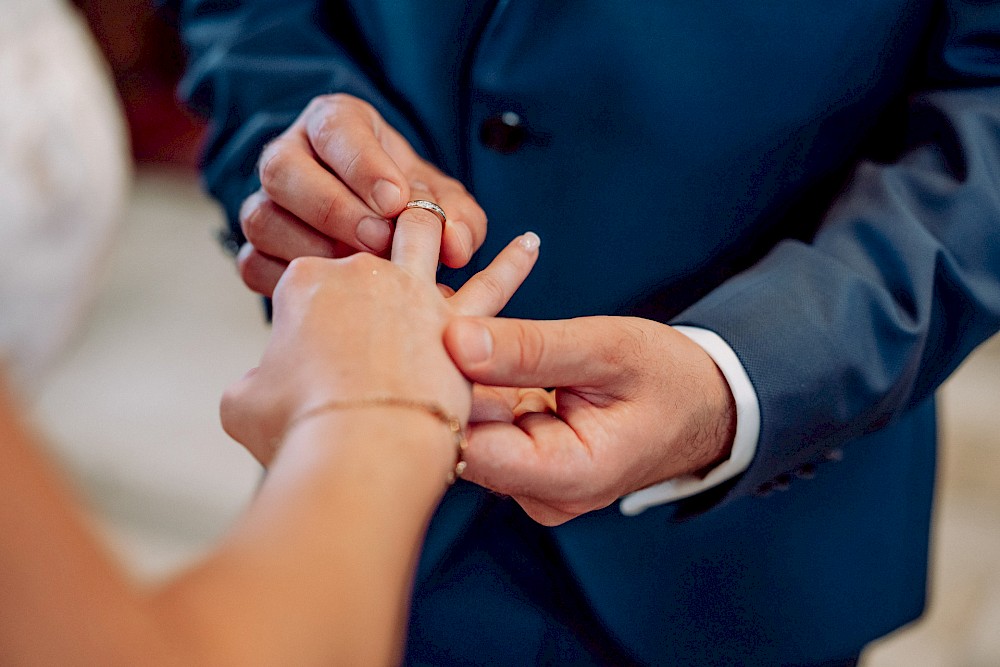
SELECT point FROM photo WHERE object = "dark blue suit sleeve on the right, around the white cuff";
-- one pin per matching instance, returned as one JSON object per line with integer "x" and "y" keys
{"x": 843, "y": 333}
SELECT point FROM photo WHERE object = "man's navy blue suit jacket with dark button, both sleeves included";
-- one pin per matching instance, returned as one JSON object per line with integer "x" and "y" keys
{"x": 817, "y": 182}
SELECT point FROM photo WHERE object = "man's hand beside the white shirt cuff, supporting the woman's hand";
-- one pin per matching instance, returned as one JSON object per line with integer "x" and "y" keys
{"x": 635, "y": 403}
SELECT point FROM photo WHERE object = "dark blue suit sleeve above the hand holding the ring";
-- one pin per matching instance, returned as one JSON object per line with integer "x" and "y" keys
{"x": 253, "y": 67}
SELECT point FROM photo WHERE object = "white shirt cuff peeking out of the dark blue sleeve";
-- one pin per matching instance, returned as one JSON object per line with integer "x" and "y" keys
{"x": 744, "y": 442}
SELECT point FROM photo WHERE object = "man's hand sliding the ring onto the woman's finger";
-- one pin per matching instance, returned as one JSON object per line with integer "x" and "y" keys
{"x": 331, "y": 183}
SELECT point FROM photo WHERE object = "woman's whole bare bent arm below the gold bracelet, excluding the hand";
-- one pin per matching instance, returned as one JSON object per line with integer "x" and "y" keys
{"x": 318, "y": 570}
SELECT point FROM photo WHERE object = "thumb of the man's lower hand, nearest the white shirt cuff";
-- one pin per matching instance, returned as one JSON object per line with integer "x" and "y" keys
{"x": 532, "y": 353}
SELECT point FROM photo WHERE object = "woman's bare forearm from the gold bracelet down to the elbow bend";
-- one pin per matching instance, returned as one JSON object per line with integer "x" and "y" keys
{"x": 330, "y": 544}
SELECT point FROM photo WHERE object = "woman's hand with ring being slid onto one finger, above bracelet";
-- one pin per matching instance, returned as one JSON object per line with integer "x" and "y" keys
{"x": 362, "y": 327}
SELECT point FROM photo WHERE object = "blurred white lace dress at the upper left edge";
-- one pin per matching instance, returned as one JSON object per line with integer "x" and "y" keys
{"x": 64, "y": 174}
